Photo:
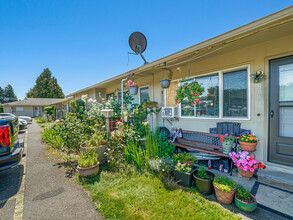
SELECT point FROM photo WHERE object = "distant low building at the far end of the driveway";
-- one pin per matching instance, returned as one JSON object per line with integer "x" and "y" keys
{"x": 32, "y": 107}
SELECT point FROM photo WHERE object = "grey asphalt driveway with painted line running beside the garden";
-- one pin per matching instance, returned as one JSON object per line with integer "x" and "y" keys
{"x": 38, "y": 189}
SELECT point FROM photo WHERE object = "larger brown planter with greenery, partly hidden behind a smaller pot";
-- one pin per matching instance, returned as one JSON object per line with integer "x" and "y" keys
{"x": 98, "y": 142}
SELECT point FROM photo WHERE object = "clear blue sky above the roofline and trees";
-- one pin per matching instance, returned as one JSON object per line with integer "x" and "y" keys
{"x": 86, "y": 41}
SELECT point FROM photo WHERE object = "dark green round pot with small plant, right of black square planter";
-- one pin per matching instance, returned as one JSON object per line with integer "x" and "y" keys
{"x": 204, "y": 180}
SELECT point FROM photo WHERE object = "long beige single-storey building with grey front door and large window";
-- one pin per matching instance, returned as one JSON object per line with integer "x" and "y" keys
{"x": 224, "y": 65}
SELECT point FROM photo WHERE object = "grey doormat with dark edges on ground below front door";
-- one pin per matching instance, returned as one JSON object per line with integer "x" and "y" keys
{"x": 274, "y": 199}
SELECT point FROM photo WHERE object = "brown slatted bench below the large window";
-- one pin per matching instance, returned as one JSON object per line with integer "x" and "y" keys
{"x": 201, "y": 141}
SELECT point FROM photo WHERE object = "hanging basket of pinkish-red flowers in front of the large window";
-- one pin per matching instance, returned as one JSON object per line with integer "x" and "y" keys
{"x": 189, "y": 92}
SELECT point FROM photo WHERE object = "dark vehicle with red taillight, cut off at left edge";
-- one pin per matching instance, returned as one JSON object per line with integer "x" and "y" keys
{"x": 11, "y": 148}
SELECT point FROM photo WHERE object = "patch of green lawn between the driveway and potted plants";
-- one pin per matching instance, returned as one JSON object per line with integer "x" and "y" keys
{"x": 145, "y": 196}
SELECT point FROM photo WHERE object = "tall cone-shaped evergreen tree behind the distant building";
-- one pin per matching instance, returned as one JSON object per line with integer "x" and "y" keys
{"x": 46, "y": 87}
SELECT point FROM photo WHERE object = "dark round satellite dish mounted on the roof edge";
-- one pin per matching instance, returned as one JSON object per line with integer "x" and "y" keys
{"x": 138, "y": 43}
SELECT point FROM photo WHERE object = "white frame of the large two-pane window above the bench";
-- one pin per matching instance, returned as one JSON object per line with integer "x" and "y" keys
{"x": 221, "y": 97}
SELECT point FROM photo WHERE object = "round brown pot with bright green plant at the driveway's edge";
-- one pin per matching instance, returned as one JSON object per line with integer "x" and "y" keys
{"x": 88, "y": 163}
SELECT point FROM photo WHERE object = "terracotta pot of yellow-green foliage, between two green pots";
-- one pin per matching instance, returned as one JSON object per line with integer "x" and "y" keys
{"x": 225, "y": 189}
